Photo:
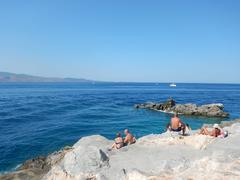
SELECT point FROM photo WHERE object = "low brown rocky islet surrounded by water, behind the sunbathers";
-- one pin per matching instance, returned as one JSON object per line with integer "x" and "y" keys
{"x": 170, "y": 106}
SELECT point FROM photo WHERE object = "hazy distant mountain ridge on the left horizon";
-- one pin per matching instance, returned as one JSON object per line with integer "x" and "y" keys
{"x": 12, "y": 77}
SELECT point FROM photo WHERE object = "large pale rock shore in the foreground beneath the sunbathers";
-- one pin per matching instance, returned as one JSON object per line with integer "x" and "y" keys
{"x": 152, "y": 157}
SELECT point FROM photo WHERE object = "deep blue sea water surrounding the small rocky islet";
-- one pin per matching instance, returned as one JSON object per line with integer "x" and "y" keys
{"x": 39, "y": 118}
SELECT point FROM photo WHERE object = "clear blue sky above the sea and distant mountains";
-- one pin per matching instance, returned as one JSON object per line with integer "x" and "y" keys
{"x": 124, "y": 40}
